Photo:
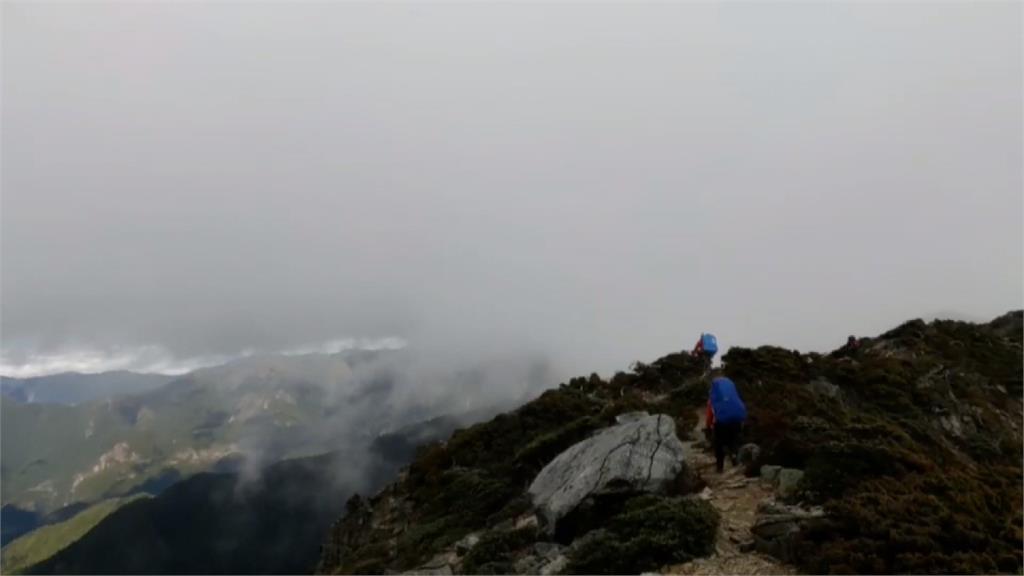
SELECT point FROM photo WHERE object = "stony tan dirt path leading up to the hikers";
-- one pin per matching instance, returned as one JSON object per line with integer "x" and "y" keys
{"x": 737, "y": 500}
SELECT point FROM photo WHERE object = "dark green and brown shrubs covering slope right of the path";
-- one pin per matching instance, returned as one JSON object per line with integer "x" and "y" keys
{"x": 916, "y": 459}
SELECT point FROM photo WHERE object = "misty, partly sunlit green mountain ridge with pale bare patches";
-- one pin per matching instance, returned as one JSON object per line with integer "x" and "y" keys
{"x": 271, "y": 406}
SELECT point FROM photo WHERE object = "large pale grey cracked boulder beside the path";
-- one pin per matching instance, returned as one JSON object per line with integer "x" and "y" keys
{"x": 642, "y": 454}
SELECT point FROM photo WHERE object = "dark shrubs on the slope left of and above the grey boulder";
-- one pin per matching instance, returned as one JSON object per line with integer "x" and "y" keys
{"x": 478, "y": 480}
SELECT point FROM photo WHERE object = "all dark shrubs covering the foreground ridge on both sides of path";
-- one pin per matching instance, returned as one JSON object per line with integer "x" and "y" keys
{"x": 912, "y": 444}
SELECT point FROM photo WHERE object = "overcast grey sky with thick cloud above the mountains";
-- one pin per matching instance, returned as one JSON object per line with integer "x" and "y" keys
{"x": 598, "y": 184}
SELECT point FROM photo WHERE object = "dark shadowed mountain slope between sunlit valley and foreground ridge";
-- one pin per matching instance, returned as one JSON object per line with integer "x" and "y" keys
{"x": 273, "y": 523}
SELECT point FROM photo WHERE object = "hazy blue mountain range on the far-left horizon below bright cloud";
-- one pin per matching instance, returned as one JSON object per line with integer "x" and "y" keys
{"x": 74, "y": 388}
